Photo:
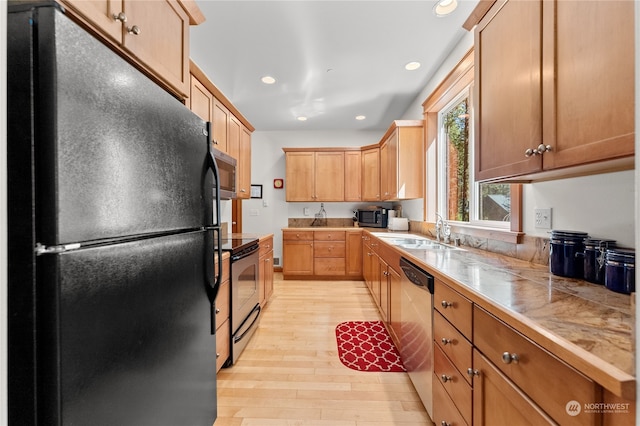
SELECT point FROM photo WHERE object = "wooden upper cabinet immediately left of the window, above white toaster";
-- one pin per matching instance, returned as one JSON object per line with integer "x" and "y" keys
{"x": 401, "y": 162}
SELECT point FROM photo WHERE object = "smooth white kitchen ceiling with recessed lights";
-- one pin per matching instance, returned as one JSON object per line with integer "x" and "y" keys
{"x": 333, "y": 60}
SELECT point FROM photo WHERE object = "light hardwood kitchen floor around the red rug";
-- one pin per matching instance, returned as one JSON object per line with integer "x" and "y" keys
{"x": 290, "y": 373}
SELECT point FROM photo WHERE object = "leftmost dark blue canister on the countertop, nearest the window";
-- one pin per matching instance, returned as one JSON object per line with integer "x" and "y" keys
{"x": 565, "y": 254}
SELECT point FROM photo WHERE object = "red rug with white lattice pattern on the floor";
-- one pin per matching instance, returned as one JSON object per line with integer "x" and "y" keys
{"x": 367, "y": 346}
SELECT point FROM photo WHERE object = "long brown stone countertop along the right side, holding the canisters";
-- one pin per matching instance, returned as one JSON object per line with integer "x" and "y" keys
{"x": 588, "y": 326}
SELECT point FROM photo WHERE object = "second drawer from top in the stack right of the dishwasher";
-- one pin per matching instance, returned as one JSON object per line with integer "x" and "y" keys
{"x": 453, "y": 344}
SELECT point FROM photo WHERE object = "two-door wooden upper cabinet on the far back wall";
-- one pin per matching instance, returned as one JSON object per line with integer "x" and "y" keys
{"x": 314, "y": 175}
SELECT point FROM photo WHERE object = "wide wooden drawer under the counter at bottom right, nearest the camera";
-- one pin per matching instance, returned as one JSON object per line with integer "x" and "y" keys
{"x": 544, "y": 378}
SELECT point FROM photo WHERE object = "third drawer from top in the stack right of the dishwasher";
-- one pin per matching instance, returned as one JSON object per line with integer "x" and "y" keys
{"x": 453, "y": 382}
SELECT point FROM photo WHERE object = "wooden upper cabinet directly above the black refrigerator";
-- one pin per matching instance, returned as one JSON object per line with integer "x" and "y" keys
{"x": 153, "y": 35}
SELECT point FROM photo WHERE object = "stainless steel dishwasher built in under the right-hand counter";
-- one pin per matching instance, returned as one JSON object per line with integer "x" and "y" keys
{"x": 416, "y": 341}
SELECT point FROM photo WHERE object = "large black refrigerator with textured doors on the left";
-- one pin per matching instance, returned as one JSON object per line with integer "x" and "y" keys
{"x": 112, "y": 228}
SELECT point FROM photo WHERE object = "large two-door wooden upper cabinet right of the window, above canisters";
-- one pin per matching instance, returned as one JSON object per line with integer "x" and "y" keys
{"x": 554, "y": 89}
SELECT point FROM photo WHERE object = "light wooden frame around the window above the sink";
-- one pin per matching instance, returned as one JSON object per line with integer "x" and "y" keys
{"x": 459, "y": 79}
